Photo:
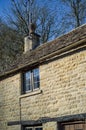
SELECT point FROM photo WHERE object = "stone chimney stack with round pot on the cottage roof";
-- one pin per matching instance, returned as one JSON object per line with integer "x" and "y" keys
{"x": 32, "y": 41}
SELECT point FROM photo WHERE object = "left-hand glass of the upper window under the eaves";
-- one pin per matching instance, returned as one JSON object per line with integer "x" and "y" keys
{"x": 27, "y": 78}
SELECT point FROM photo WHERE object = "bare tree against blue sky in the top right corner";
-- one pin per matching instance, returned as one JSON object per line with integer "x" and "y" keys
{"x": 75, "y": 13}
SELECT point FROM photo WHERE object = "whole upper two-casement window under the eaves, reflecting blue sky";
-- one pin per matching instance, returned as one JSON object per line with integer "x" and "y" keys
{"x": 31, "y": 80}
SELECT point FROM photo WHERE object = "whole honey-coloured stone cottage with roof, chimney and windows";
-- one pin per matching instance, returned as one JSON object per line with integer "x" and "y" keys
{"x": 45, "y": 88}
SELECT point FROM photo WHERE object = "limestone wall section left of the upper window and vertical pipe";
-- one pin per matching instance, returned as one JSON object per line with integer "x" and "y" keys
{"x": 9, "y": 101}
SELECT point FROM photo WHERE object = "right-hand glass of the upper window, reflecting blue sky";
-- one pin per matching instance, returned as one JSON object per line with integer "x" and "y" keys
{"x": 36, "y": 78}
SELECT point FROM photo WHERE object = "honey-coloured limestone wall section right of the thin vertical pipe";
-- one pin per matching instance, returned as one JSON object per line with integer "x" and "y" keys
{"x": 63, "y": 85}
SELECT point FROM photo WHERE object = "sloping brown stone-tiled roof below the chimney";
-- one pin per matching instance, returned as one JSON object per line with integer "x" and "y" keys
{"x": 46, "y": 50}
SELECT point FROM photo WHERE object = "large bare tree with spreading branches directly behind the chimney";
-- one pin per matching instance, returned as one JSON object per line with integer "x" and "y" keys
{"x": 42, "y": 16}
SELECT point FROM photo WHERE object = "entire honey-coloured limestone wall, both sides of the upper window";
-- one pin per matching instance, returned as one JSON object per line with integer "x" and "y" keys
{"x": 63, "y": 85}
